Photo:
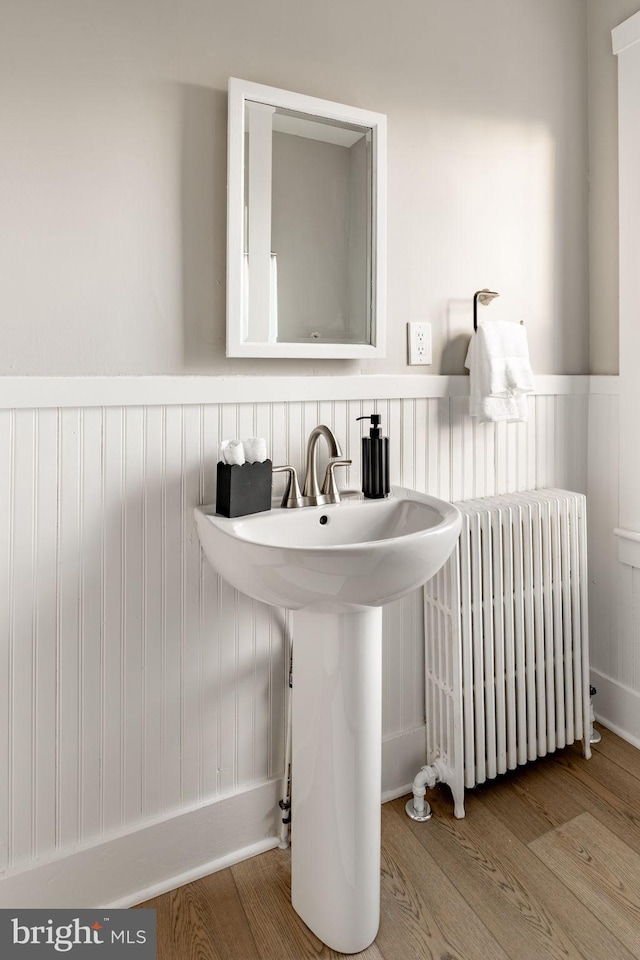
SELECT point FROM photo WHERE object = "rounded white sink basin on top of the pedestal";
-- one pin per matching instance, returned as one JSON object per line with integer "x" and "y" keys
{"x": 340, "y": 557}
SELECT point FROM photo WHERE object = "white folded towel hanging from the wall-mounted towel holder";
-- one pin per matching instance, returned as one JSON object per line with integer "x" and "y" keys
{"x": 500, "y": 372}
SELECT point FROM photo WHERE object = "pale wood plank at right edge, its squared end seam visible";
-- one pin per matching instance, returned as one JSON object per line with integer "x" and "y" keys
{"x": 601, "y": 870}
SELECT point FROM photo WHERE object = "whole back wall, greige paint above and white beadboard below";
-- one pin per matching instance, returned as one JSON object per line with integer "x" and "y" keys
{"x": 144, "y": 698}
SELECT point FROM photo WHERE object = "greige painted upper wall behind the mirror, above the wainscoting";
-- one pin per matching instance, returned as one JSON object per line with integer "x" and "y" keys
{"x": 112, "y": 171}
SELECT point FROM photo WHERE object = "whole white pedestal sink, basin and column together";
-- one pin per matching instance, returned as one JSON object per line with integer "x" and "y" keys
{"x": 335, "y": 566}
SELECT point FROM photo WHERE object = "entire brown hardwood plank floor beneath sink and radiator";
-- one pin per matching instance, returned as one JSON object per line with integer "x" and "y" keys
{"x": 546, "y": 864}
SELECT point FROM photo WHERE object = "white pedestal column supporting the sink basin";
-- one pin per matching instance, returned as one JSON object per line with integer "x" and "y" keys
{"x": 336, "y": 774}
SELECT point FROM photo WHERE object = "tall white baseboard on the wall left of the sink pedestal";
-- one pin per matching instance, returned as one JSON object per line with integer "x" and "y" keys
{"x": 139, "y": 864}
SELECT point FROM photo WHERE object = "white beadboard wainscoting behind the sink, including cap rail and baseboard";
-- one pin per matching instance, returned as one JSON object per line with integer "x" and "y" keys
{"x": 144, "y": 698}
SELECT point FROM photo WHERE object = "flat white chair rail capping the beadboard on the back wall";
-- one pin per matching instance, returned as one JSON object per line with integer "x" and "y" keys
{"x": 31, "y": 392}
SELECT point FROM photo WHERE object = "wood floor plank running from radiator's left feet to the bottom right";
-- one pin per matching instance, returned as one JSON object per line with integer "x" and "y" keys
{"x": 523, "y": 904}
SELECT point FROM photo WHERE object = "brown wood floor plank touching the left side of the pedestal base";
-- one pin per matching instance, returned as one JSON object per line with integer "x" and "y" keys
{"x": 264, "y": 884}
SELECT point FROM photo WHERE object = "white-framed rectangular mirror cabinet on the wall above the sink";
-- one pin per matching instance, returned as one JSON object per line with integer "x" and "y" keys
{"x": 306, "y": 226}
